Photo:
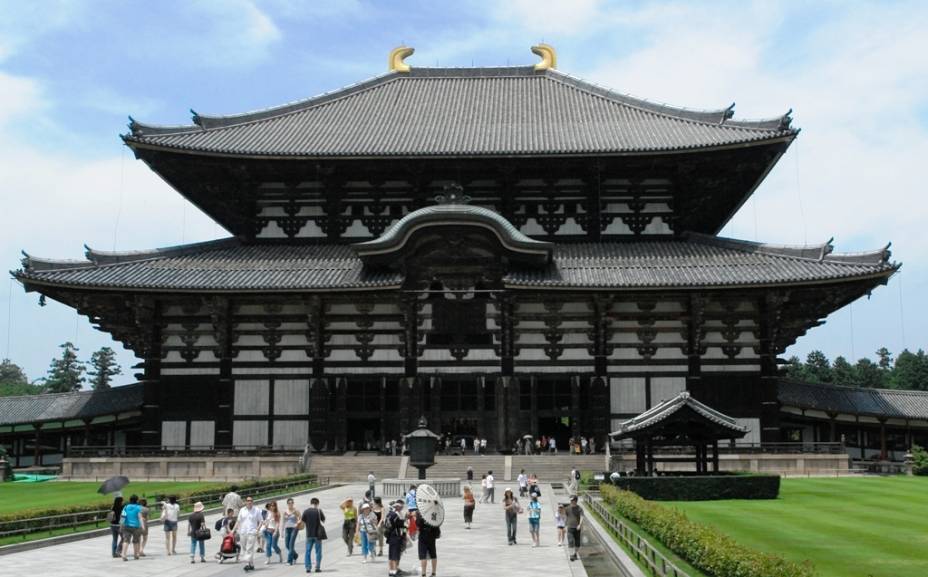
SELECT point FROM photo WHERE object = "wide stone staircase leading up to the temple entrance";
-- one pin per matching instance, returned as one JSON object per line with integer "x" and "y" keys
{"x": 351, "y": 468}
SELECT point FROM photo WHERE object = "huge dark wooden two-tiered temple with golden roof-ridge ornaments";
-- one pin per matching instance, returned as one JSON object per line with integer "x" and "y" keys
{"x": 505, "y": 250}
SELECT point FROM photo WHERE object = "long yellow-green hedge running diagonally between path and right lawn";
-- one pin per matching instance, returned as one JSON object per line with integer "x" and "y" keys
{"x": 703, "y": 547}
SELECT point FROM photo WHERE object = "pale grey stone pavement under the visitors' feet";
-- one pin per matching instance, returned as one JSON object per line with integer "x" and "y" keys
{"x": 461, "y": 552}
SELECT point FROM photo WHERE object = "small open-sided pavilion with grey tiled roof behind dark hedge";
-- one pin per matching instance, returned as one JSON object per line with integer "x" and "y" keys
{"x": 679, "y": 422}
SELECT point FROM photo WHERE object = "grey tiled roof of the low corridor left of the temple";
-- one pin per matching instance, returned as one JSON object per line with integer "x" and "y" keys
{"x": 67, "y": 406}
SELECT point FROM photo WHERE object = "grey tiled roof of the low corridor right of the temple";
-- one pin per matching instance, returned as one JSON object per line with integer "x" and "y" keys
{"x": 854, "y": 401}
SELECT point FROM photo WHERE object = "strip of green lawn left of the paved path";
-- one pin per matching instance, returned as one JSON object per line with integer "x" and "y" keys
{"x": 21, "y": 496}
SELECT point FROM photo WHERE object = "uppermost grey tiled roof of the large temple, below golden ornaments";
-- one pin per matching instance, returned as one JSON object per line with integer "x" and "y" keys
{"x": 433, "y": 112}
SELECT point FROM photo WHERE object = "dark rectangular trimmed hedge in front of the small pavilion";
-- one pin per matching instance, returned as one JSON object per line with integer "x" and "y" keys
{"x": 702, "y": 488}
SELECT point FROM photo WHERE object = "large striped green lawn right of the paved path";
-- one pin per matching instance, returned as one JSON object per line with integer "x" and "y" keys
{"x": 847, "y": 527}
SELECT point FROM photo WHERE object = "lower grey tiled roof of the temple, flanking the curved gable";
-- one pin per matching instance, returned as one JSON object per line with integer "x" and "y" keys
{"x": 692, "y": 261}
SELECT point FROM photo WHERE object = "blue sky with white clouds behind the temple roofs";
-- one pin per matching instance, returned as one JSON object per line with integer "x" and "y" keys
{"x": 855, "y": 75}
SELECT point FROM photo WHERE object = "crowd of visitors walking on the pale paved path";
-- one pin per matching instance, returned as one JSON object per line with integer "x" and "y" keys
{"x": 246, "y": 529}
